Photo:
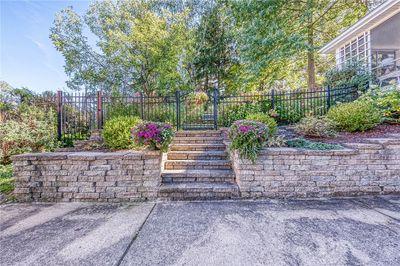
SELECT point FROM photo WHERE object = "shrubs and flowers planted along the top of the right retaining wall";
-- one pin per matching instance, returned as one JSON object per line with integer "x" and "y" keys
{"x": 375, "y": 106}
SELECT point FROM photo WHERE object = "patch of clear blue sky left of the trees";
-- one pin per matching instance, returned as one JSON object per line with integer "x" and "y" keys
{"x": 27, "y": 56}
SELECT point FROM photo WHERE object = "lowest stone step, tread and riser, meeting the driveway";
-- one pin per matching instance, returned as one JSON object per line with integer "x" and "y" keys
{"x": 198, "y": 191}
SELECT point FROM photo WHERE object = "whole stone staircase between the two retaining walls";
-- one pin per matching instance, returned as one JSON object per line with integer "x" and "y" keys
{"x": 198, "y": 167}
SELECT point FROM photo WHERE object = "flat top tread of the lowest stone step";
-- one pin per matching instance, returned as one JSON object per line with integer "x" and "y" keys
{"x": 199, "y": 187}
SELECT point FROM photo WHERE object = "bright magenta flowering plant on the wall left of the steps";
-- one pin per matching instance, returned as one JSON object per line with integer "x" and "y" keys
{"x": 157, "y": 136}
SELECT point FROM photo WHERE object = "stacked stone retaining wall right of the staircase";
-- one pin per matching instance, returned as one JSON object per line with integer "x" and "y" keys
{"x": 361, "y": 168}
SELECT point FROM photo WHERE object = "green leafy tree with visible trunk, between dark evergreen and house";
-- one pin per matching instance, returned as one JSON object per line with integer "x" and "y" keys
{"x": 279, "y": 38}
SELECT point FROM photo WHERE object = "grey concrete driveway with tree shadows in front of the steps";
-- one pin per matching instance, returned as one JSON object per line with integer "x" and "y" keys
{"x": 358, "y": 231}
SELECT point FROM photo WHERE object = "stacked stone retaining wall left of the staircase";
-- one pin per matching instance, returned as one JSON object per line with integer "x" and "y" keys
{"x": 88, "y": 176}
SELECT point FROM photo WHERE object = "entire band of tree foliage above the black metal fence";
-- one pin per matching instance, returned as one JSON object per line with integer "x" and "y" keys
{"x": 158, "y": 47}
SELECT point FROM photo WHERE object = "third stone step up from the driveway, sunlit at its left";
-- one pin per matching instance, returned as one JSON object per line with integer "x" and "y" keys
{"x": 198, "y": 164}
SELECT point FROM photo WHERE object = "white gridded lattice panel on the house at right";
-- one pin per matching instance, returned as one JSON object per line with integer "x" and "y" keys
{"x": 357, "y": 50}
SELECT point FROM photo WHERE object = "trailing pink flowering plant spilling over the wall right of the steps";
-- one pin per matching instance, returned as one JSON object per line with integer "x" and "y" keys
{"x": 248, "y": 138}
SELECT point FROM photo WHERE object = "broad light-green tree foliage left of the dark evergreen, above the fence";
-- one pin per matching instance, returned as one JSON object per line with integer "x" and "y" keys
{"x": 138, "y": 47}
